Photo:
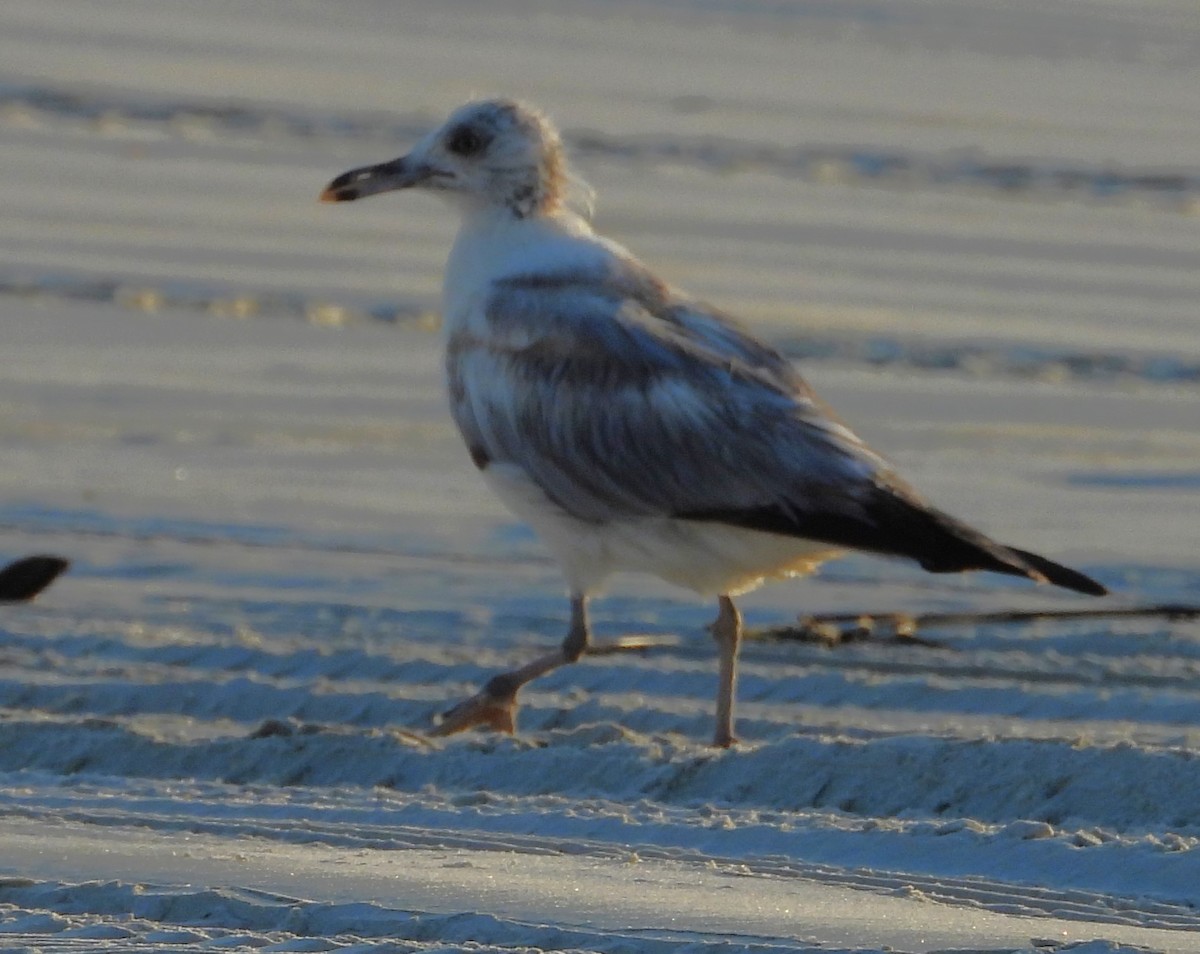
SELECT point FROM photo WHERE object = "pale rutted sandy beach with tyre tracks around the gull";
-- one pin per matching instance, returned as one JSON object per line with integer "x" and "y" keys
{"x": 976, "y": 227}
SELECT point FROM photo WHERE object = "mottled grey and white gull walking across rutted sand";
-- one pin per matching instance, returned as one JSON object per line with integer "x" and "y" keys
{"x": 634, "y": 428}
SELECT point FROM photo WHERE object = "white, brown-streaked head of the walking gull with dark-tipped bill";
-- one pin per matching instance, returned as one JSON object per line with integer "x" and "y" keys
{"x": 493, "y": 154}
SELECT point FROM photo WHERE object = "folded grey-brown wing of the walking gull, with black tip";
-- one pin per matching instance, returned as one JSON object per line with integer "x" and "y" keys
{"x": 622, "y": 401}
